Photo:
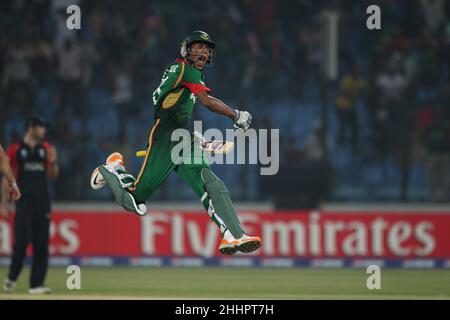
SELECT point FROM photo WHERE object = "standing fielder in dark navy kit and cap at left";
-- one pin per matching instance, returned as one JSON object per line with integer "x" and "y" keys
{"x": 33, "y": 161}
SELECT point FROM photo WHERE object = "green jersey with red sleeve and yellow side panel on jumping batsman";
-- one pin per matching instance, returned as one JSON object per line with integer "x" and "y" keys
{"x": 174, "y": 99}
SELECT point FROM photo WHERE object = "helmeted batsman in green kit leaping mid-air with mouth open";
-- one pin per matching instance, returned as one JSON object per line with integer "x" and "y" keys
{"x": 181, "y": 85}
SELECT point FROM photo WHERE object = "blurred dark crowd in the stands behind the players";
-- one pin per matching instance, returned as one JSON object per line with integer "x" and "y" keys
{"x": 391, "y": 100}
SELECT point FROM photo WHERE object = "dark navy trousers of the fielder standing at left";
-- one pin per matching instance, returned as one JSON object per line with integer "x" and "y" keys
{"x": 31, "y": 225}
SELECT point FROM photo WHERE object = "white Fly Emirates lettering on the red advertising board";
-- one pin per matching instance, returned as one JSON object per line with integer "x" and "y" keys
{"x": 310, "y": 235}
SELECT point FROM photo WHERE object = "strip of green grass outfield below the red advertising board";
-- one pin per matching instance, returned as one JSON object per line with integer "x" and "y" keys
{"x": 239, "y": 283}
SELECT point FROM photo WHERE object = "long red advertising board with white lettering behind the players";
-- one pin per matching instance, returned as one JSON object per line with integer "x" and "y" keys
{"x": 285, "y": 234}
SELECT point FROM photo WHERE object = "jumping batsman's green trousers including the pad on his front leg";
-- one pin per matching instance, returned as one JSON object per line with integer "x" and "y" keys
{"x": 158, "y": 165}
